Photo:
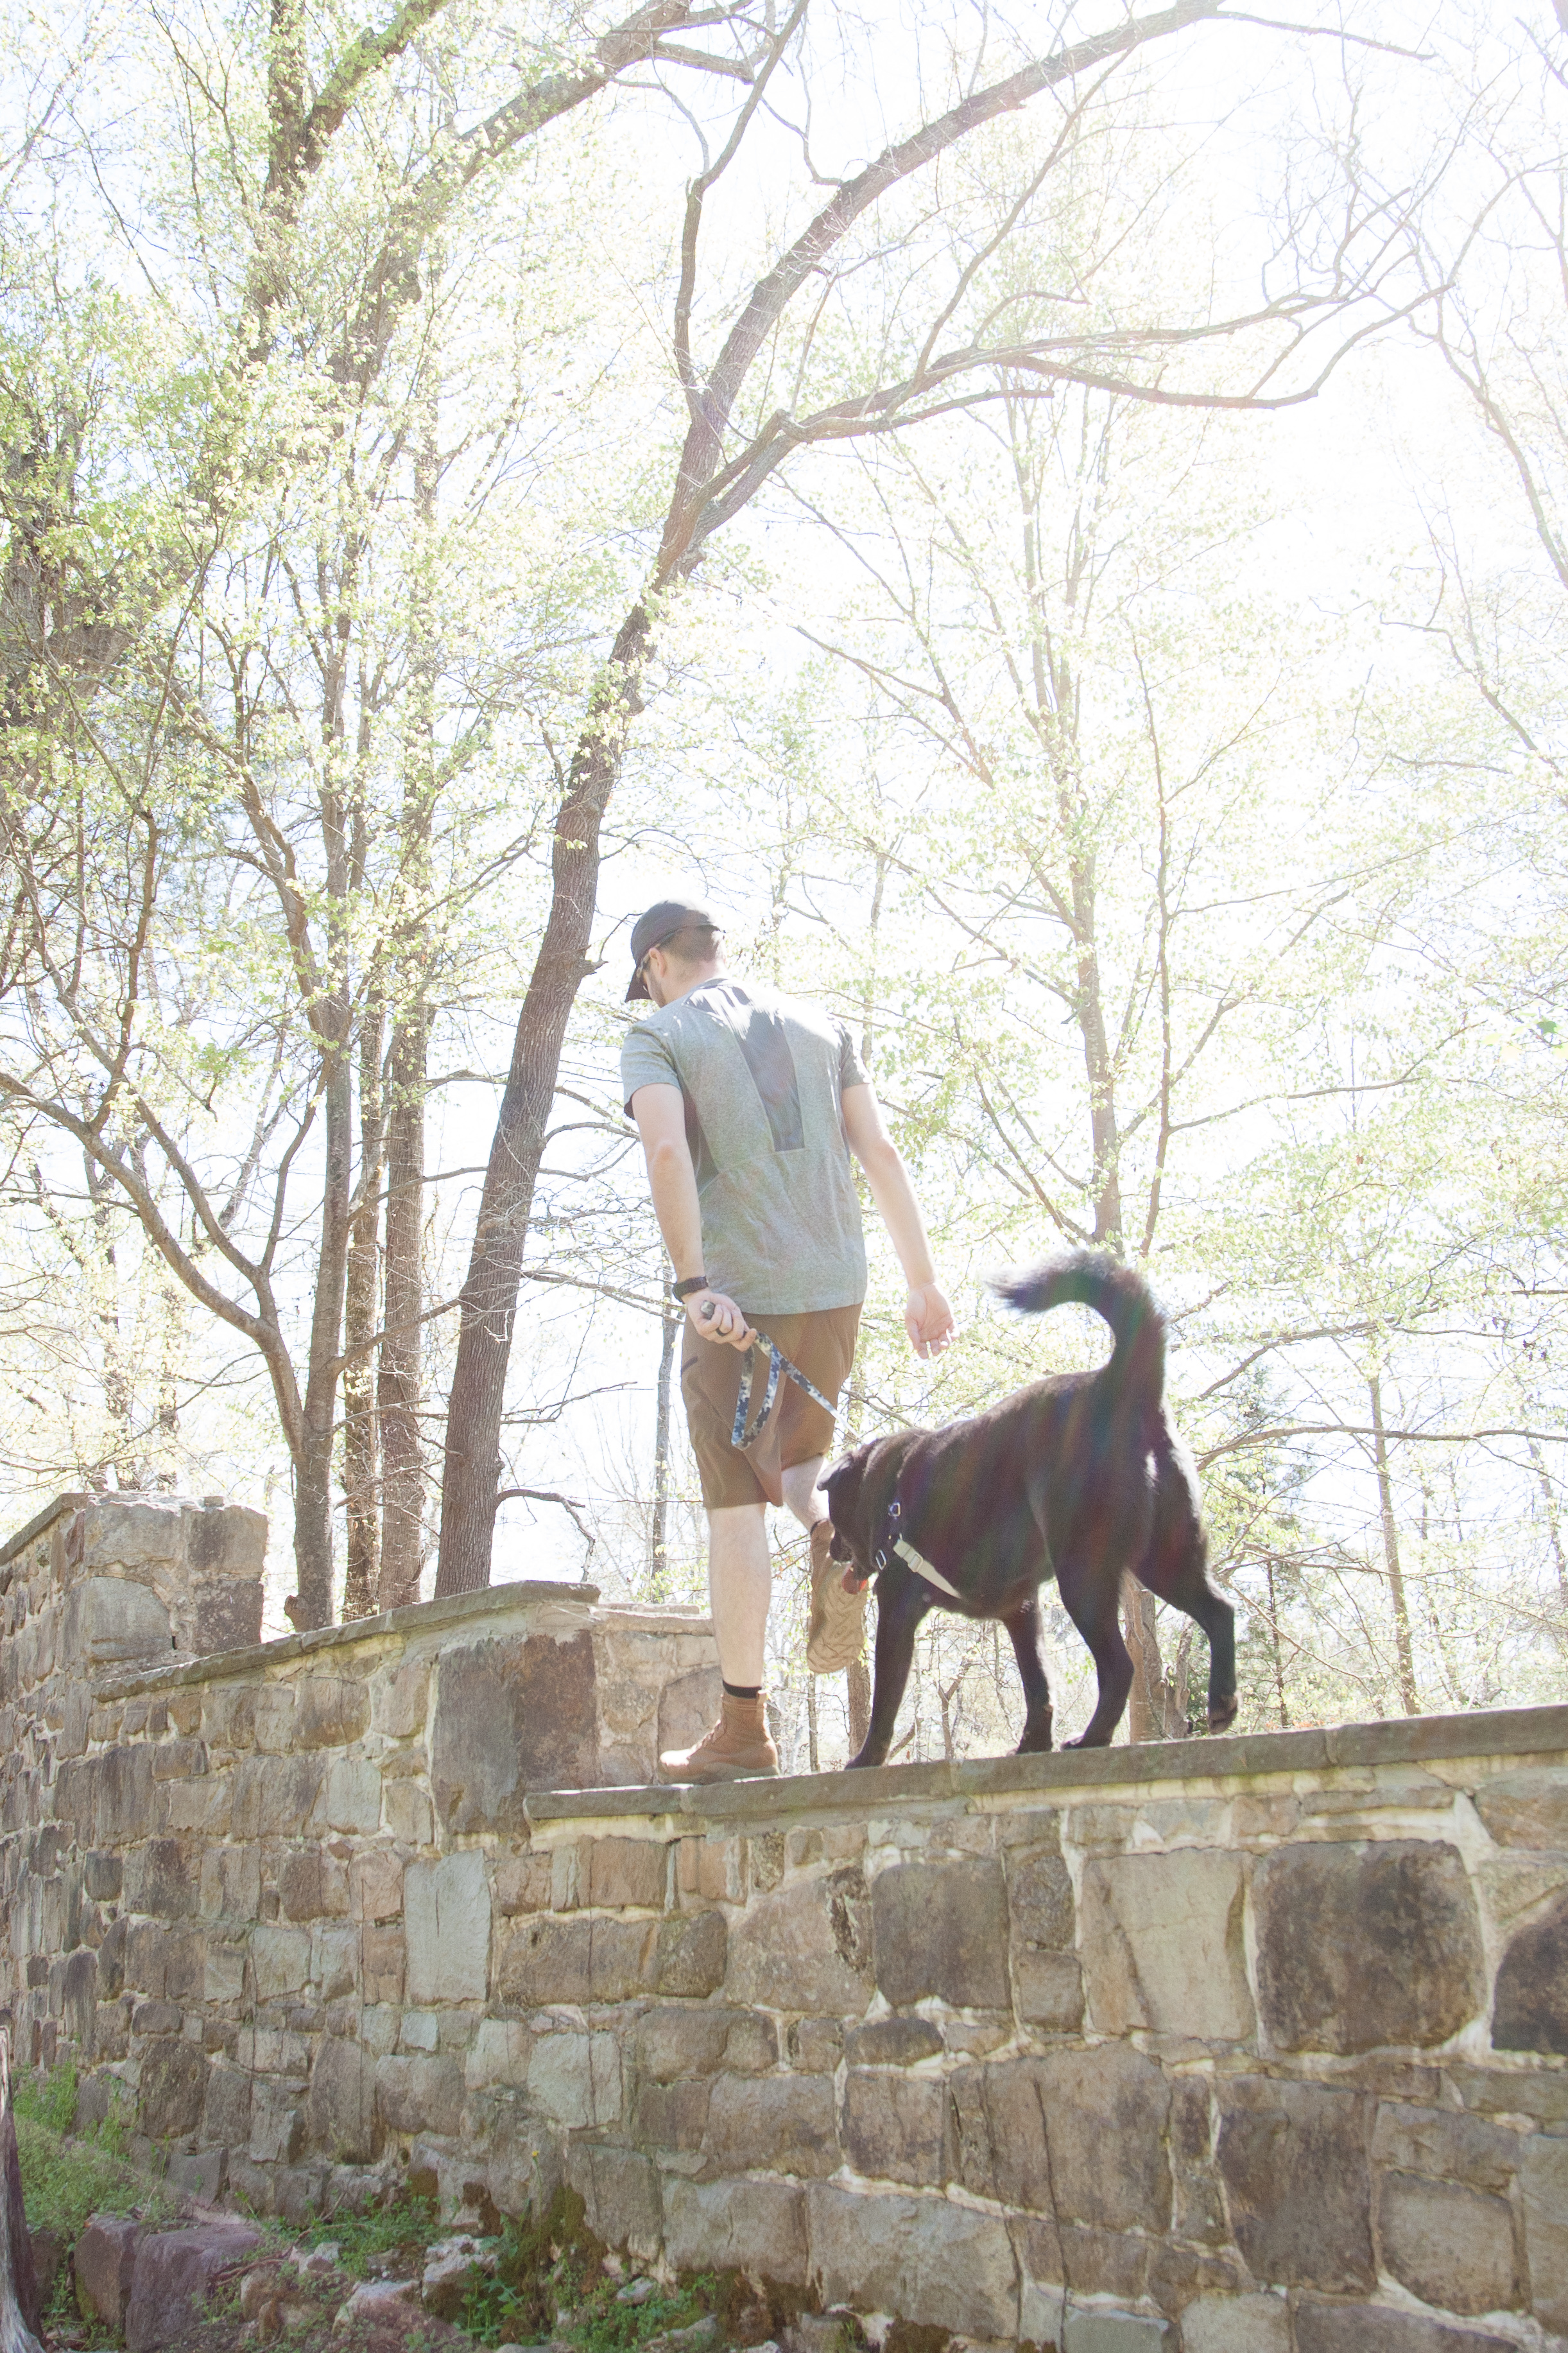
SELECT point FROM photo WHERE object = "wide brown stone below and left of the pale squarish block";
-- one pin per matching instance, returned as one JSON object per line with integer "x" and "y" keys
{"x": 1078, "y": 2135}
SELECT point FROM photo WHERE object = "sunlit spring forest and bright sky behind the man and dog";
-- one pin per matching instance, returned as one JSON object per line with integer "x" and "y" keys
{"x": 1052, "y": 521}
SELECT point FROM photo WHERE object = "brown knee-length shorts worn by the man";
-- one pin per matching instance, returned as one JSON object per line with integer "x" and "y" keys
{"x": 824, "y": 1347}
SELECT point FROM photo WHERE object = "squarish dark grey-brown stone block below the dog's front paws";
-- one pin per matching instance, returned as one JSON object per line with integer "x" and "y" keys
{"x": 942, "y": 1928}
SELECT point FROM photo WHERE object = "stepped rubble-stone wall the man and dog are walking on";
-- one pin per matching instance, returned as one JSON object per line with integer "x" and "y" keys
{"x": 1224, "y": 2046}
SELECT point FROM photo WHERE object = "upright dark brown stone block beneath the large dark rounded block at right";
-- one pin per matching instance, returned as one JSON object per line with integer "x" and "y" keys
{"x": 1296, "y": 2178}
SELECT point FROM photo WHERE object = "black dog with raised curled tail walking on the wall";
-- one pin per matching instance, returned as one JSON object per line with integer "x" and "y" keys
{"x": 1080, "y": 1477}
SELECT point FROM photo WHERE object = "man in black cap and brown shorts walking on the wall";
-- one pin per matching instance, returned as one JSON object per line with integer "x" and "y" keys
{"x": 749, "y": 1107}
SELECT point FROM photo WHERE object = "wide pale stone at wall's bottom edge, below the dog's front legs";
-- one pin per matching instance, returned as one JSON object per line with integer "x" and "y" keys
{"x": 930, "y": 2262}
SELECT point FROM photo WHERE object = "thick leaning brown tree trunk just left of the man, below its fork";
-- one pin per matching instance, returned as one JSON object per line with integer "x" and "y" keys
{"x": 495, "y": 1269}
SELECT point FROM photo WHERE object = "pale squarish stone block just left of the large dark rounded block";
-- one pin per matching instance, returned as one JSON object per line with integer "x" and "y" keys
{"x": 1162, "y": 1945}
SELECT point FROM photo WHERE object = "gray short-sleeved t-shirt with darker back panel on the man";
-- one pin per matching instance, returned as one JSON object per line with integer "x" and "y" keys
{"x": 763, "y": 1081}
